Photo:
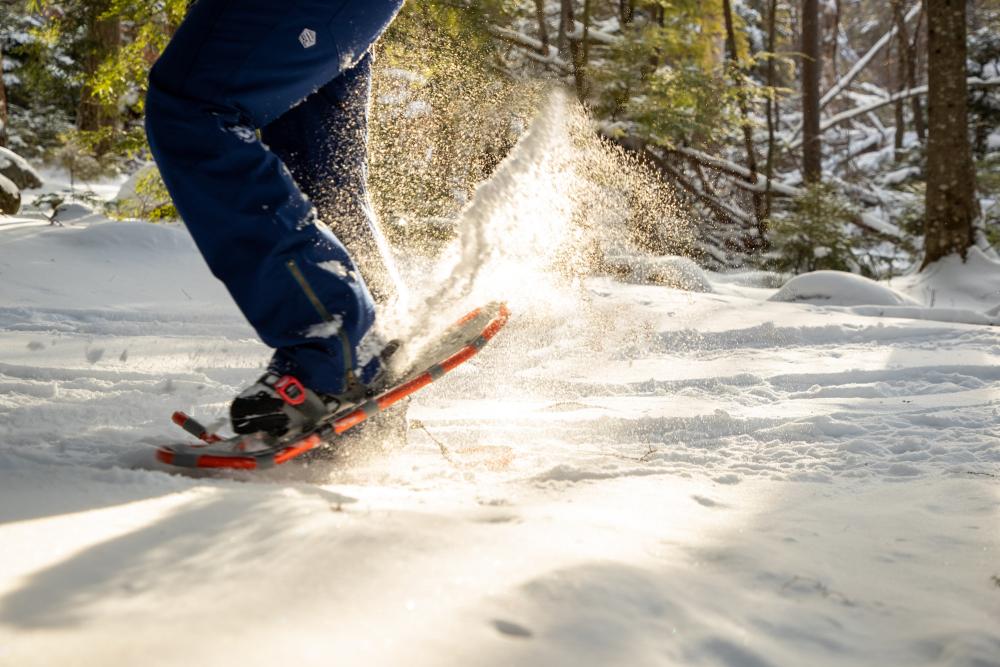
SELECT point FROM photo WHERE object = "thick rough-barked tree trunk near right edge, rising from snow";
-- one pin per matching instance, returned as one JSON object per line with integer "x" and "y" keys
{"x": 950, "y": 198}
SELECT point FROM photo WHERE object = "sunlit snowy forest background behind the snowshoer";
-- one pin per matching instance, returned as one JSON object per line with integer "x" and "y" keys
{"x": 792, "y": 136}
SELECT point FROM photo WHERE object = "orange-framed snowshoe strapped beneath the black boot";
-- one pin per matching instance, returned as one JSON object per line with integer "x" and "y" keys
{"x": 459, "y": 343}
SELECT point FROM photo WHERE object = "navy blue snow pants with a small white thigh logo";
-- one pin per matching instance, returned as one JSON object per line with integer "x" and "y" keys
{"x": 299, "y": 73}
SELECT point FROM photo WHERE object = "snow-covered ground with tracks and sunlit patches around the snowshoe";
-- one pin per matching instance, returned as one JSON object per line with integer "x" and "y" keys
{"x": 630, "y": 475}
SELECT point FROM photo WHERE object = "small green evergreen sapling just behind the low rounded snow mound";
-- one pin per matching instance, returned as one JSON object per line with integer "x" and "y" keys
{"x": 812, "y": 234}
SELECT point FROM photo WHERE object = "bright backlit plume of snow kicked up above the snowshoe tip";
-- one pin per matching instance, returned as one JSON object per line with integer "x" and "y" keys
{"x": 528, "y": 234}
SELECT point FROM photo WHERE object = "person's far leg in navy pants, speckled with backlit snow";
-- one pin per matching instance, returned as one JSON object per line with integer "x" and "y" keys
{"x": 324, "y": 143}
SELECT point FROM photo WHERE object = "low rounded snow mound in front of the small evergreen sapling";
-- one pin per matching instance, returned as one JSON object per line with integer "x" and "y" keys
{"x": 837, "y": 288}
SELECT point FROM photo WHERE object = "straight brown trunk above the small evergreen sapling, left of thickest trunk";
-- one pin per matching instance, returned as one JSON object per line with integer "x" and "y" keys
{"x": 812, "y": 66}
